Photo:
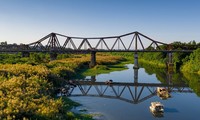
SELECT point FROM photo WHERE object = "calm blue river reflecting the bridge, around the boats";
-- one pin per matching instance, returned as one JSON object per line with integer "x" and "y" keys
{"x": 131, "y": 93}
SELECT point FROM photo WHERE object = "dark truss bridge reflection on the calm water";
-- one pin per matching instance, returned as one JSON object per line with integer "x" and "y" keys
{"x": 134, "y": 92}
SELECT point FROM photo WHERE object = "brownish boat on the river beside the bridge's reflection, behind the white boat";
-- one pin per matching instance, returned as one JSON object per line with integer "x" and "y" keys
{"x": 163, "y": 93}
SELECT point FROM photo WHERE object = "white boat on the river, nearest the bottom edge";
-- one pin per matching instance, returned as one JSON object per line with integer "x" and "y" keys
{"x": 156, "y": 107}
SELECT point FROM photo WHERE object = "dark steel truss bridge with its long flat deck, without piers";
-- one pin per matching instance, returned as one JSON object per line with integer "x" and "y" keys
{"x": 58, "y": 43}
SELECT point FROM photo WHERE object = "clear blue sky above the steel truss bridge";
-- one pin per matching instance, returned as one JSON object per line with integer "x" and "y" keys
{"x": 26, "y": 21}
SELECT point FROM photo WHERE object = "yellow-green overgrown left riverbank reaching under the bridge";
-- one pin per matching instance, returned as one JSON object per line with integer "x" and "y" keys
{"x": 27, "y": 89}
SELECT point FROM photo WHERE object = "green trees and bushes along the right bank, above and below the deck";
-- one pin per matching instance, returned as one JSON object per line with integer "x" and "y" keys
{"x": 183, "y": 61}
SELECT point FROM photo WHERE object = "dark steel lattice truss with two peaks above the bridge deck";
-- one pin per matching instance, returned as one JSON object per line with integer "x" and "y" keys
{"x": 128, "y": 42}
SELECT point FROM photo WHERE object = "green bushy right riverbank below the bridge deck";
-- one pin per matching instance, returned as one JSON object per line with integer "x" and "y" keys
{"x": 183, "y": 62}
